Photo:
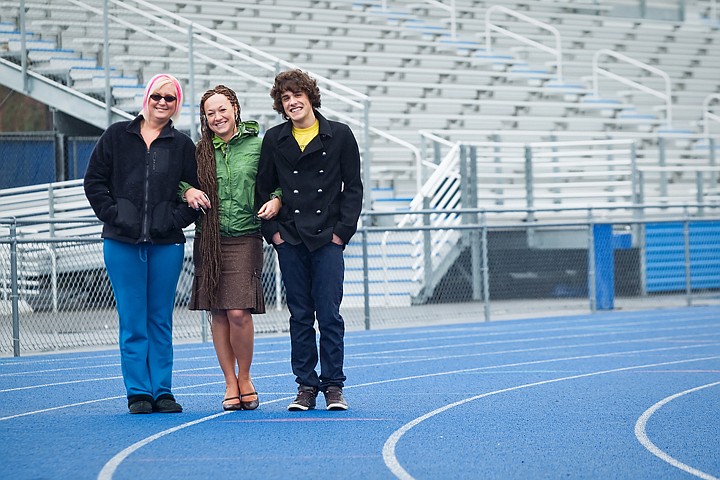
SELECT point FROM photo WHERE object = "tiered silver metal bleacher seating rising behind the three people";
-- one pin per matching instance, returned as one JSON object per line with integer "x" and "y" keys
{"x": 418, "y": 77}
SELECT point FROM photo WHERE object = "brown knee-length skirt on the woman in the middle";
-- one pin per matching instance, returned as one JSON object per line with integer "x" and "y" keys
{"x": 240, "y": 286}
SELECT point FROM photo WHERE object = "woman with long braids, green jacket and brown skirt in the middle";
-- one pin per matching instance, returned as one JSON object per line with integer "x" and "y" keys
{"x": 228, "y": 246}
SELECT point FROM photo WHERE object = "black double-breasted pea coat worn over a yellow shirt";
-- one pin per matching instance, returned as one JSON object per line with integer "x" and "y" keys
{"x": 321, "y": 186}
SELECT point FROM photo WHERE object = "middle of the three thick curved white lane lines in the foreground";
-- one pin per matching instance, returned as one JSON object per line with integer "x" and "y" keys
{"x": 388, "y": 450}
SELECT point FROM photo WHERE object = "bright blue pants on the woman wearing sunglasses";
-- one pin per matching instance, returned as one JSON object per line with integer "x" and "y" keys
{"x": 144, "y": 279}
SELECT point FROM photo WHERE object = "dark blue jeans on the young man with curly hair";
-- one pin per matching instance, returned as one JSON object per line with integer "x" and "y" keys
{"x": 314, "y": 288}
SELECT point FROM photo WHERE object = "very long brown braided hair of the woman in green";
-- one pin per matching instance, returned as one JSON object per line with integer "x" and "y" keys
{"x": 207, "y": 176}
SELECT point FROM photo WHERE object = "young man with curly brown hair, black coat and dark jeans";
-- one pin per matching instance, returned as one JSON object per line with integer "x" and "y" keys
{"x": 316, "y": 162}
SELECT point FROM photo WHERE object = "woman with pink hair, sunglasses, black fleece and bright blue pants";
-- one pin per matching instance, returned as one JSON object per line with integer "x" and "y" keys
{"x": 132, "y": 183}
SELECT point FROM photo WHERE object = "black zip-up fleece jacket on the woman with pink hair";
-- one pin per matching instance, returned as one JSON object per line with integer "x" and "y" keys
{"x": 134, "y": 190}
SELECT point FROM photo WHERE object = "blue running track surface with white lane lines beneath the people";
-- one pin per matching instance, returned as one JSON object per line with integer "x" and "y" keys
{"x": 631, "y": 395}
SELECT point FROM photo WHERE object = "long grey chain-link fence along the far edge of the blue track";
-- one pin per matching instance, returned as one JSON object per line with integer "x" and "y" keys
{"x": 54, "y": 292}
